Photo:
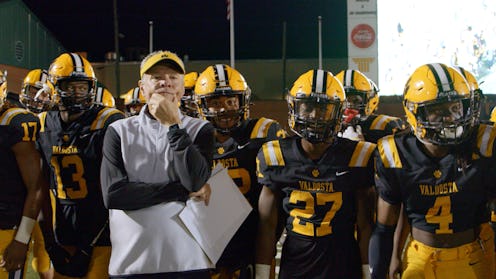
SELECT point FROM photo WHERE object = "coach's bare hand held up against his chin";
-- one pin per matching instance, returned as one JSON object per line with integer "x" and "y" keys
{"x": 164, "y": 109}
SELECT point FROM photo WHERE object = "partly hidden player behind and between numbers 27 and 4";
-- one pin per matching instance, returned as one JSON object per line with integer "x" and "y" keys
{"x": 360, "y": 121}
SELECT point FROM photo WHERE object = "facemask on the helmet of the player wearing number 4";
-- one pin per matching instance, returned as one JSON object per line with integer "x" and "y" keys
{"x": 446, "y": 121}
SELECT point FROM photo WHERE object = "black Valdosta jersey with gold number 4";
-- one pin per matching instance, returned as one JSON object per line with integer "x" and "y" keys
{"x": 440, "y": 195}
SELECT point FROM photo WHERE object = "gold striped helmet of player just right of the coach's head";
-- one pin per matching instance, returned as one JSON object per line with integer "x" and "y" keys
{"x": 223, "y": 97}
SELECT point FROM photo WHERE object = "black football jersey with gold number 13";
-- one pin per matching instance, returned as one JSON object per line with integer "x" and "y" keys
{"x": 74, "y": 153}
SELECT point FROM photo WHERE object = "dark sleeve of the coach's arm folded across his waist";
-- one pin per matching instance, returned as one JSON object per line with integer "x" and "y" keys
{"x": 119, "y": 193}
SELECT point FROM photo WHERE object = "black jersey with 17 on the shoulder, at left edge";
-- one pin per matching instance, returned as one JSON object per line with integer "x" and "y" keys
{"x": 16, "y": 125}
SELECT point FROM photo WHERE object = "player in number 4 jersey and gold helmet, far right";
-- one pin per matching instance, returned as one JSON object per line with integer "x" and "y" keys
{"x": 442, "y": 173}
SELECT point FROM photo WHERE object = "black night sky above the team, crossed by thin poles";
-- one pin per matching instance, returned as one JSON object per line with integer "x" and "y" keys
{"x": 198, "y": 28}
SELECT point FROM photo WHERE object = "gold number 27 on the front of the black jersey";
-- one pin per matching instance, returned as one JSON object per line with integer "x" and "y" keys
{"x": 330, "y": 203}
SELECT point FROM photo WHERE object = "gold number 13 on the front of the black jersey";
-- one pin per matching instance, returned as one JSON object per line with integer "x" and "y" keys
{"x": 69, "y": 171}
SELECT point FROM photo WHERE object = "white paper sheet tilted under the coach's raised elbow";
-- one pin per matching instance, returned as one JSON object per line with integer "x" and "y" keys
{"x": 214, "y": 225}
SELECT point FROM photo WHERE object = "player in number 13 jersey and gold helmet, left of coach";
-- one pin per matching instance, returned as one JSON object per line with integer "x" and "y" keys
{"x": 71, "y": 140}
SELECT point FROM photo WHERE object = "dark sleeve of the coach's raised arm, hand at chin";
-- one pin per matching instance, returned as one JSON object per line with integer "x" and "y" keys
{"x": 192, "y": 160}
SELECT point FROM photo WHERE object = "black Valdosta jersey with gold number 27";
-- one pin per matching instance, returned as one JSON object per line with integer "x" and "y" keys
{"x": 318, "y": 196}
